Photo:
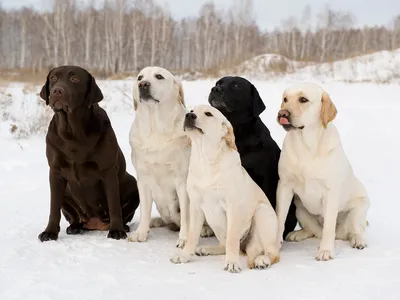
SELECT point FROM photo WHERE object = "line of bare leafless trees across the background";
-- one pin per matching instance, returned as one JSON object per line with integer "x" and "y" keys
{"x": 124, "y": 36}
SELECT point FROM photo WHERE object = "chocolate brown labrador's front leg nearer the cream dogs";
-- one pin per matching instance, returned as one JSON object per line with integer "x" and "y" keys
{"x": 111, "y": 187}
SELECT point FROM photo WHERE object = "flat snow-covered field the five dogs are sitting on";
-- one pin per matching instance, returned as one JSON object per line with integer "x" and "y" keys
{"x": 93, "y": 267}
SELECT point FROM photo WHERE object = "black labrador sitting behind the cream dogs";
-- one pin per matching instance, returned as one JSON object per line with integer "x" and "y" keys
{"x": 239, "y": 101}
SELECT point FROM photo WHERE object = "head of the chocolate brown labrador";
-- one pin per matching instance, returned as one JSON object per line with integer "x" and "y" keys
{"x": 70, "y": 87}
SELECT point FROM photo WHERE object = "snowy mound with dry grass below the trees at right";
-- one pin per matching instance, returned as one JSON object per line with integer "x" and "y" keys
{"x": 382, "y": 66}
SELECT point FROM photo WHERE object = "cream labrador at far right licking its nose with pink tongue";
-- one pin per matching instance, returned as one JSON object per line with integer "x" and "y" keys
{"x": 331, "y": 201}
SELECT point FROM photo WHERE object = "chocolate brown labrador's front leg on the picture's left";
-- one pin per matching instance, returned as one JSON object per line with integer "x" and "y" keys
{"x": 57, "y": 191}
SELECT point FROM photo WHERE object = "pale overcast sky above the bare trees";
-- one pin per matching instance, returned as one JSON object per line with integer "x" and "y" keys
{"x": 270, "y": 13}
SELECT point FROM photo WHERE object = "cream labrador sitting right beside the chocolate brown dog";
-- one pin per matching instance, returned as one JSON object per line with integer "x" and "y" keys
{"x": 160, "y": 153}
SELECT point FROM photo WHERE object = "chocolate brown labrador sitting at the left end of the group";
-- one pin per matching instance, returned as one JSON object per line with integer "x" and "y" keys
{"x": 88, "y": 178}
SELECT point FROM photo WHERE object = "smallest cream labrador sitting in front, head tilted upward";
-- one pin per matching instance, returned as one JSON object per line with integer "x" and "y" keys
{"x": 224, "y": 194}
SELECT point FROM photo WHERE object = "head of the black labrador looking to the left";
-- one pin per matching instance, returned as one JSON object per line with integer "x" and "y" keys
{"x": 236, "y": 94}
